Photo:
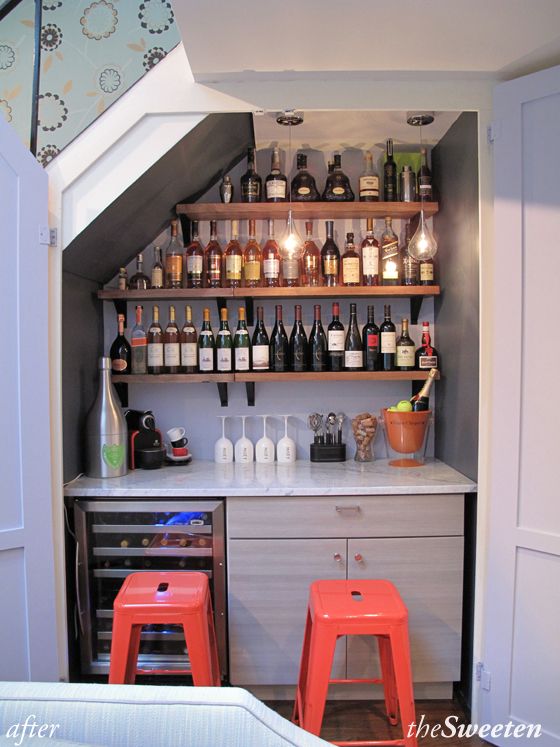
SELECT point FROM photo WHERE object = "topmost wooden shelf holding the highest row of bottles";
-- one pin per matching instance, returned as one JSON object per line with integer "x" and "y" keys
{"x": 304, "y": 210}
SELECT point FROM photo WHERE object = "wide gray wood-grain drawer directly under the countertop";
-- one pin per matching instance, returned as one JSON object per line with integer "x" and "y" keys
{"x": 345, "y": 516}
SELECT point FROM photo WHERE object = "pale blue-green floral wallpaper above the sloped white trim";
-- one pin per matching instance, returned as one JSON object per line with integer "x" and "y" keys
{"x": 91, "y": 53}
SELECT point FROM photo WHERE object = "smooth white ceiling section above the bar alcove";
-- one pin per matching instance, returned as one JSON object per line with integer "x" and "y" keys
{"x": 491, "y": 38}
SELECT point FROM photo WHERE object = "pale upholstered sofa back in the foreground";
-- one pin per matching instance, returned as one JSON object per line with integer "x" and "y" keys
{"x": 140, "y": 716}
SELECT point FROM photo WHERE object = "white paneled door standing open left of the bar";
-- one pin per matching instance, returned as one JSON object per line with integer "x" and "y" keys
{"x": 28, "y": 645}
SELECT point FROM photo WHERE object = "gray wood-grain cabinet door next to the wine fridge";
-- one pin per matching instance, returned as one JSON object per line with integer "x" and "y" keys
{"x": 268, "y": 589}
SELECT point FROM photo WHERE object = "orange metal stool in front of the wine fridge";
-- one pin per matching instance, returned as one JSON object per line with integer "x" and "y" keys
{"x": 152, "y": 598}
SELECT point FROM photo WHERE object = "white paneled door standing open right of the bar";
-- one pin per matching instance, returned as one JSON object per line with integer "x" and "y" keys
{"x": 521, "y": 677}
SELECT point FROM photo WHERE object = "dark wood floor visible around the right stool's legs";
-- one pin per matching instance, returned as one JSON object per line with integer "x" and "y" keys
{"x": 349, "y": 720}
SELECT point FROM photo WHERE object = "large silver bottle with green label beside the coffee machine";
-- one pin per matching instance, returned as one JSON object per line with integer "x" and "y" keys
{"x": 106, "y": 430}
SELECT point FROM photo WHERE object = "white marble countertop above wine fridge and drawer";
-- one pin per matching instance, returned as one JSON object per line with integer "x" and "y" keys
{"x": 209, "y": 480}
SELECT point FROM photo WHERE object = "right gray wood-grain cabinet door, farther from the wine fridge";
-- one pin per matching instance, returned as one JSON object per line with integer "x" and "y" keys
{"x": 428, "y": 572}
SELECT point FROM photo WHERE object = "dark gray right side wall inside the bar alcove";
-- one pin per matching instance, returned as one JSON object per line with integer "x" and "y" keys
{"x": 455, "y": 172}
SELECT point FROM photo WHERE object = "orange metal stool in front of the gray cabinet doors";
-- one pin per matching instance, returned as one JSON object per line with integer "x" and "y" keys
{"x": 361, "y": 607}
